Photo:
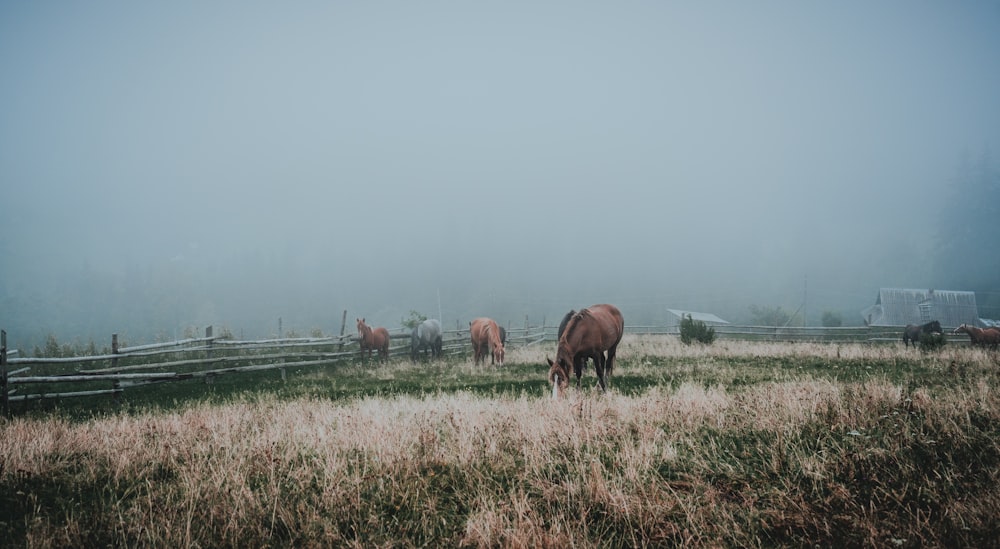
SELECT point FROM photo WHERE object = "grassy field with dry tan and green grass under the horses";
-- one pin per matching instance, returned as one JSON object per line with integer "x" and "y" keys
{"x": 736, "y": 444}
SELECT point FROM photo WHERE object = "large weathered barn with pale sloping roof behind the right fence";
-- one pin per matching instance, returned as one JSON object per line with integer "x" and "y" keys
{"x": 900, "y": 306}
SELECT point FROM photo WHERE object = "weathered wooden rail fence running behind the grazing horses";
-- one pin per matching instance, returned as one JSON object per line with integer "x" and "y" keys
{"x": 208, "y": 357}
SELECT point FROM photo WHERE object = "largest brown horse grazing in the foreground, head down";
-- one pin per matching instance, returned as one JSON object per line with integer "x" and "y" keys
{"x": 587, "y": 334}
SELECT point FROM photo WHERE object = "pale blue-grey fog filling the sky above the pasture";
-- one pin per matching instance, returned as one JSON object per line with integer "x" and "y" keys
{"x": 189, "y": 163}
